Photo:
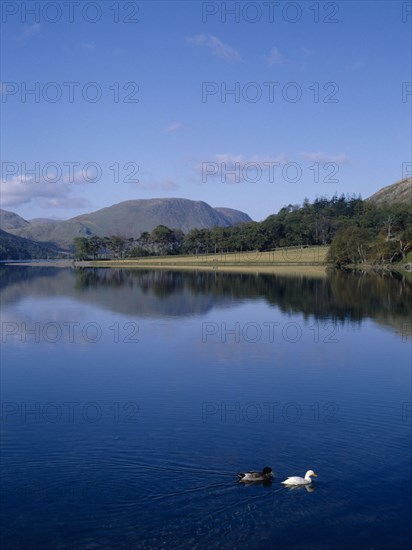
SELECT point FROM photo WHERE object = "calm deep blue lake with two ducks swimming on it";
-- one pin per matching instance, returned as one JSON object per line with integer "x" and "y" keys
{"x": 131, "y": 399}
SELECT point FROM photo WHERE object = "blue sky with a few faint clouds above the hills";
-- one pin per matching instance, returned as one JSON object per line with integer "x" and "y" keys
{"x": 132, "y": 100}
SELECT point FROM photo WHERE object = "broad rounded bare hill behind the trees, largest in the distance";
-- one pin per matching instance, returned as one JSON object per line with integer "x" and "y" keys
{"x": 131, "y": 218}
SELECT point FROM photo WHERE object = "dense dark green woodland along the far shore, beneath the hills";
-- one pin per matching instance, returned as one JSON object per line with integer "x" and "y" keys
{"x": 357, "y": 231}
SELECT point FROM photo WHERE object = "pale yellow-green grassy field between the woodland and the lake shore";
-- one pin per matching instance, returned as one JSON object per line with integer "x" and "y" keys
{"x": 291, "y": 260}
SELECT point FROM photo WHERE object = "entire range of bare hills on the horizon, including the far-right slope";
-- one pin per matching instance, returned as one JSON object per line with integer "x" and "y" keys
{"x": 20, "y": 238}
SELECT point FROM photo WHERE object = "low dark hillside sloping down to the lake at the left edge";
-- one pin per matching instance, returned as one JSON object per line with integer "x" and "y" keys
{"x": 17, "y": 248}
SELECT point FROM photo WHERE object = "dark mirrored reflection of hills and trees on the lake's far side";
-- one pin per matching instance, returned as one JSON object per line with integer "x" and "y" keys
{"x": 340, "y": 296}
